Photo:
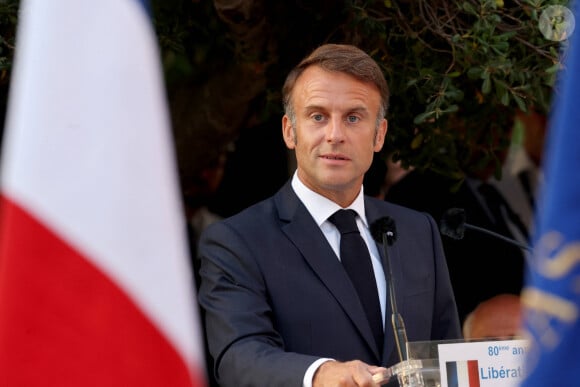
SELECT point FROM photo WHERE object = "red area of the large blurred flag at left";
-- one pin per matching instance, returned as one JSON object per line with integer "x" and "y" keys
{"x": 64, "y": 323}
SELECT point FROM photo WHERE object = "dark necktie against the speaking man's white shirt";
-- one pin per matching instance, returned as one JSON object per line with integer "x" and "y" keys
{"x": 355, "y": 258}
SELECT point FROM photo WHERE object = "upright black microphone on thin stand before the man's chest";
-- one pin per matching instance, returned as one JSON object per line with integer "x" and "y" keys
{"x": 384, "y": 232}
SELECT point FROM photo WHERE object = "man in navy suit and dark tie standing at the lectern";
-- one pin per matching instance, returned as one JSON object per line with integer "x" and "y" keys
{"x": 280, "y": 307}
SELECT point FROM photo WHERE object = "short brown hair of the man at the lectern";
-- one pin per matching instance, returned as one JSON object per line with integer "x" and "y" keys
{"x": 341, "y": 58}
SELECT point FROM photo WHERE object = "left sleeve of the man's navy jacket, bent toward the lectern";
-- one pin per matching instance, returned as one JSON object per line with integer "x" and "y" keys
{"x": 246, "y": 348}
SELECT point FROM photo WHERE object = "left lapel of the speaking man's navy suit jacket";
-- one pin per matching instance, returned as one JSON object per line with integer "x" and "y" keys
{"x": 309, "y": 239}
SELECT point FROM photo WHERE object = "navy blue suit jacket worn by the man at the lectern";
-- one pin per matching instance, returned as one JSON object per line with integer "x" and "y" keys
{"x": 276, "y": 298}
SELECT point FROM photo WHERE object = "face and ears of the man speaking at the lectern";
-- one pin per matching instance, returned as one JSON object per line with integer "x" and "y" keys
{"x": 336, "y": 132}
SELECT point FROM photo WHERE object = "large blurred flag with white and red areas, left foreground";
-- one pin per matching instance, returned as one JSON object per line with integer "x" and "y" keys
{"x": 95, "y": 283}
